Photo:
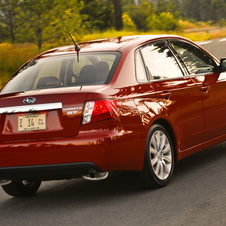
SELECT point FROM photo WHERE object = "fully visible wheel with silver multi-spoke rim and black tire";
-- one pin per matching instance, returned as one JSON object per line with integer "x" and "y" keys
{"x": 159, "y": 158}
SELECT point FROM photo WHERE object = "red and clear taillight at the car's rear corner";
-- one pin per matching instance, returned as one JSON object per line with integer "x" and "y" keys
{"x": 99, "y": 110}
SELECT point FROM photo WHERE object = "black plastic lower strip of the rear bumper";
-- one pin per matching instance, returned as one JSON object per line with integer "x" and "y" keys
{"x": 48, "y": 172}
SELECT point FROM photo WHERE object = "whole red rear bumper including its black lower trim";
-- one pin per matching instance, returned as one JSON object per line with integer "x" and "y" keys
{"x": 102, "y": 150}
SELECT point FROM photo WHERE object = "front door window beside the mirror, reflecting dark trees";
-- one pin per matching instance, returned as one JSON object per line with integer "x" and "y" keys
{"x": 196, "y": 60}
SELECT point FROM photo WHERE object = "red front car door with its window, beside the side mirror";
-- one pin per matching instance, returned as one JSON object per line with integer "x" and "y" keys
{"x": 211, "y": 84}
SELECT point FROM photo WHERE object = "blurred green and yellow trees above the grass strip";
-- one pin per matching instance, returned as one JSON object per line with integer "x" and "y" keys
{"x": 41, "y": 21}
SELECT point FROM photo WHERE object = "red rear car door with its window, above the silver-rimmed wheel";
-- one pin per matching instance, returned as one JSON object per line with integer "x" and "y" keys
{"x": 177, "y": 94}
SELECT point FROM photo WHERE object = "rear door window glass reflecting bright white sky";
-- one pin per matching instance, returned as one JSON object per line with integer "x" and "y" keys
{"x": 160, "y": 62}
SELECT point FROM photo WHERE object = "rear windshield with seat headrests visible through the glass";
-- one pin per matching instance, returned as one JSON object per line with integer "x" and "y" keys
{"x": 64, "y": 71}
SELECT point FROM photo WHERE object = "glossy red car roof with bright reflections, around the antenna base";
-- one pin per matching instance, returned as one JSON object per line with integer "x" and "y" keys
{"x": 107, "y": 44}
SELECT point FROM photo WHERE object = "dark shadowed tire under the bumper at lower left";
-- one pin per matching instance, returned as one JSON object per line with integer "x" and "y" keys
{"x": 22, "y": 188}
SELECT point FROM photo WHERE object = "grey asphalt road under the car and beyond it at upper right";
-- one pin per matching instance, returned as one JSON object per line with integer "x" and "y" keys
{"x": 196, "y": 194}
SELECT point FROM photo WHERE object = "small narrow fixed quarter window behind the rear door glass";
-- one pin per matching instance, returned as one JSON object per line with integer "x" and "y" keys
{"x": 140, "y": 70}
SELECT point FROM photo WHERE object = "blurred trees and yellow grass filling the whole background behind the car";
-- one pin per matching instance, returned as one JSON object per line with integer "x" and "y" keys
{"x": 46, "y": 23}
